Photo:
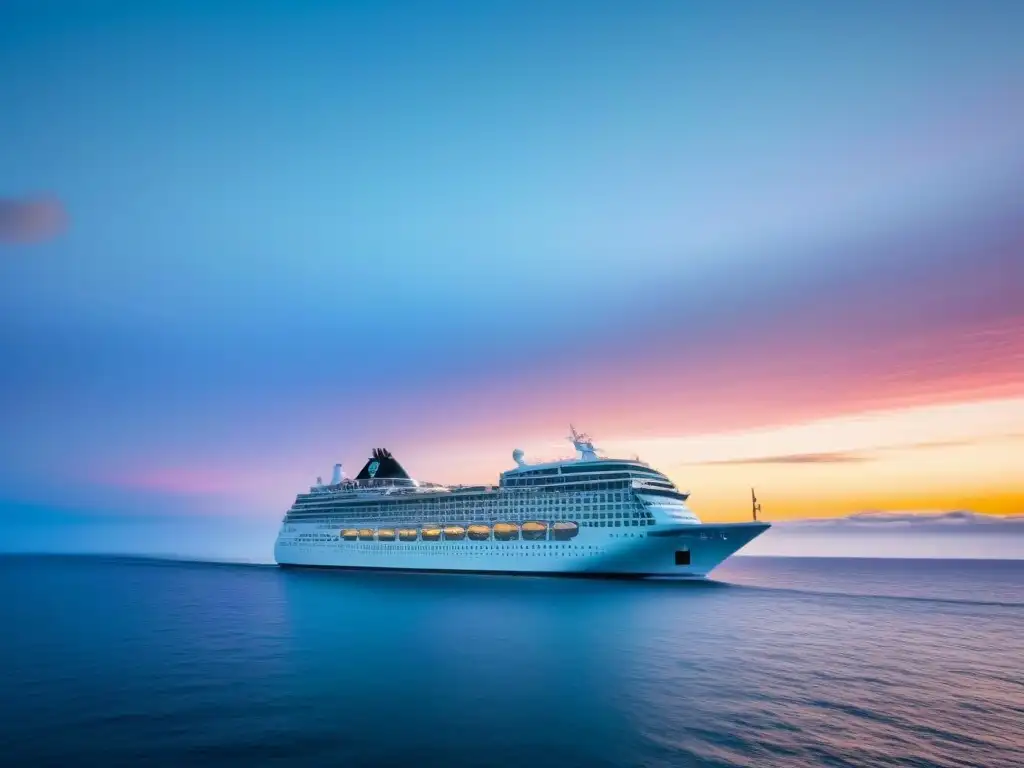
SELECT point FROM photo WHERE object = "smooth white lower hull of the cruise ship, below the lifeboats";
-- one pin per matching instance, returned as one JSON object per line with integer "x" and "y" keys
{"x": 680, "y": 550}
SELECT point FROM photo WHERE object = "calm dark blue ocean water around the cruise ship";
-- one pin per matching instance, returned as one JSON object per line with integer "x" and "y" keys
{"x": 113, "y": 662}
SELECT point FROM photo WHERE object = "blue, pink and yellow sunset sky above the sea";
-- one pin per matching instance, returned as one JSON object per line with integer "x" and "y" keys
{"x": 766, "y": 245}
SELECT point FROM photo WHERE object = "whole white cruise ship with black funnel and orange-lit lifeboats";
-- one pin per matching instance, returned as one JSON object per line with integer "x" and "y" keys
{"x": 585, "y": 517}
